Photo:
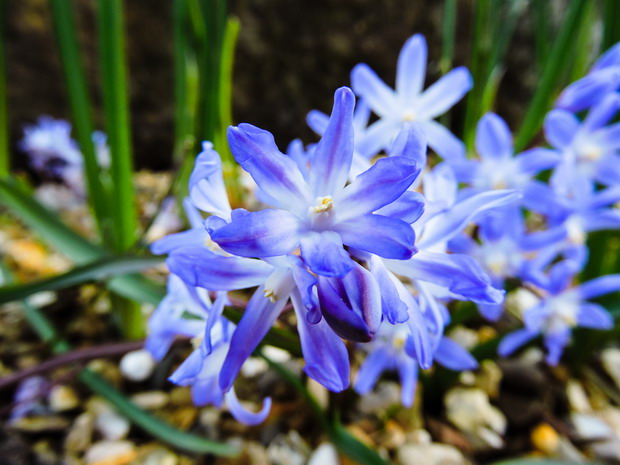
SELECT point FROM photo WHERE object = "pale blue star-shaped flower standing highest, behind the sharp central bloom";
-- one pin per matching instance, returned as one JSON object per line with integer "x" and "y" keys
{"x": 409, "y": 103}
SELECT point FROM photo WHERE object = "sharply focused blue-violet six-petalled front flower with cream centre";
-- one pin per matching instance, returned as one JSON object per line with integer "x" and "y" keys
{"x": 319, "y": 215}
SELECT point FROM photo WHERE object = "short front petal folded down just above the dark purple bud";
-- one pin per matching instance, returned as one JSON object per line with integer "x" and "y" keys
{"x": 324, "y": 254}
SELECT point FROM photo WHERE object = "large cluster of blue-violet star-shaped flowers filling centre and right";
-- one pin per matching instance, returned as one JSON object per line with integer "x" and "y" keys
{"x": 369, "y": 242}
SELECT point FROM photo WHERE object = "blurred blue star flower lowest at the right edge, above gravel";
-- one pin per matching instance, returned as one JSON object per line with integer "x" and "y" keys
{"x": 562, "y": 307}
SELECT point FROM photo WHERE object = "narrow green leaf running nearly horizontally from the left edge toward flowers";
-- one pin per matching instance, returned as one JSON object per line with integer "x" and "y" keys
{"x": 95, "y": 271}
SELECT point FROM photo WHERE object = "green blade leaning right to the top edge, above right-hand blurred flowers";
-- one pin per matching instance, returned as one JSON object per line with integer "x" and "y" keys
{"x": 559, "y": 59}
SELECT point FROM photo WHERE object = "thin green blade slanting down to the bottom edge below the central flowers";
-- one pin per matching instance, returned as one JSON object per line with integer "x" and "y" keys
{"x": 340, "y": 437}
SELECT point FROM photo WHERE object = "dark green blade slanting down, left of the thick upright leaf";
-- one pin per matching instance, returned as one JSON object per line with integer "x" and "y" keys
{"x": 64, "y": 25}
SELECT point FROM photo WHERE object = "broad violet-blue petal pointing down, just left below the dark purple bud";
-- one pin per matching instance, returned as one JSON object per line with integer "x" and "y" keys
{"x": 325, "y": 355}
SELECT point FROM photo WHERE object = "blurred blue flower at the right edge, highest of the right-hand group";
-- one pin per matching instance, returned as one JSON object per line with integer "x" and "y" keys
{"x": 603, "y": 79}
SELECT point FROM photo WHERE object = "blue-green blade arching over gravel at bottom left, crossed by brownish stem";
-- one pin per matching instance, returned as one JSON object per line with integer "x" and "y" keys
{"x": 147, "y": 422}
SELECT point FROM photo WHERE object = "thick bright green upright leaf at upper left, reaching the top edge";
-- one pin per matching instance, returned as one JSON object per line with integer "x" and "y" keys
{"x": 114, "y": 74}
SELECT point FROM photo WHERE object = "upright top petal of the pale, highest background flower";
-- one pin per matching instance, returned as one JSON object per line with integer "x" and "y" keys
{"x": 411, "y": 68}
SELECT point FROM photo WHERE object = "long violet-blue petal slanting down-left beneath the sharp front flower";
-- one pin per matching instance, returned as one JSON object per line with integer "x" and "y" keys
{"x": 258, "y": 317}
